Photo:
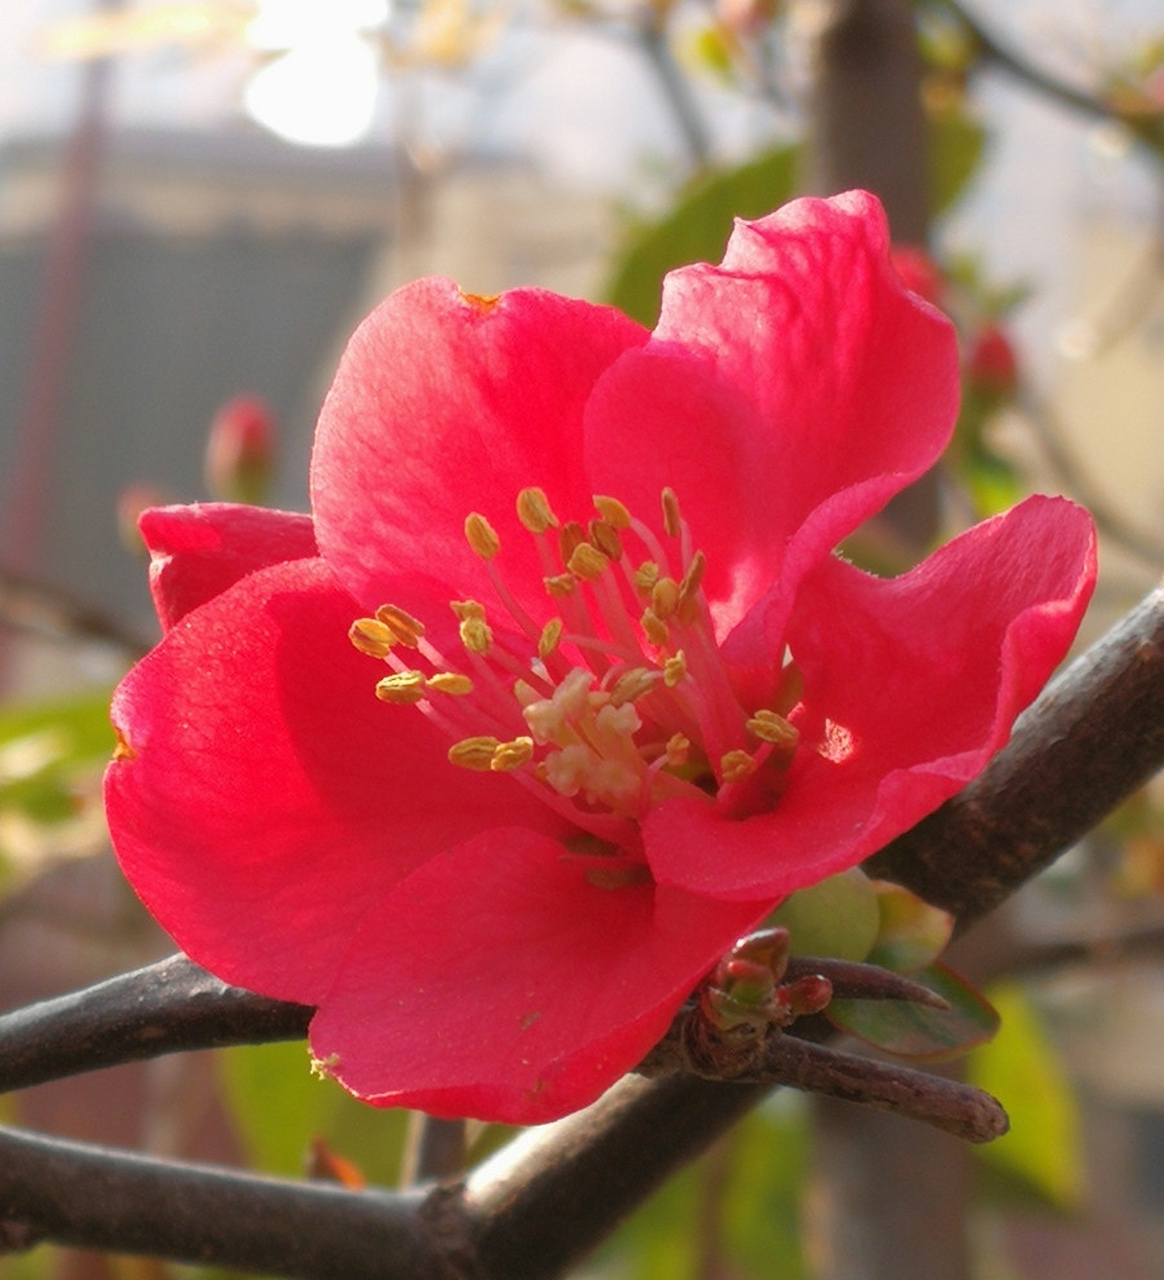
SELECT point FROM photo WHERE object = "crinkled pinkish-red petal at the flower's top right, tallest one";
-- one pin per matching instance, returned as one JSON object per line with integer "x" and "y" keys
{"x": 784, "y": 396}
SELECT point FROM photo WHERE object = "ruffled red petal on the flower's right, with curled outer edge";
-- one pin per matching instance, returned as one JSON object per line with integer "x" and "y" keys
{"x": 910, "y": 688}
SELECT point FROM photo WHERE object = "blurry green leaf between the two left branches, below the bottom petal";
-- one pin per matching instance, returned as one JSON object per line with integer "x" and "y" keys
{"x": 280, "y": 1108}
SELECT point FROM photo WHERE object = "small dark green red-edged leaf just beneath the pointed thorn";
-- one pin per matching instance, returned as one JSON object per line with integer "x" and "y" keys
{"x": 916, "y": 1031}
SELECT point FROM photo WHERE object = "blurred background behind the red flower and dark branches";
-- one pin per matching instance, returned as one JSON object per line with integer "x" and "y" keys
{"x": 198, "y": 204}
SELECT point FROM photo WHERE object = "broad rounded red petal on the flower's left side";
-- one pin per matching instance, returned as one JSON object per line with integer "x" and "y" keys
{"x": 264, "y": 796}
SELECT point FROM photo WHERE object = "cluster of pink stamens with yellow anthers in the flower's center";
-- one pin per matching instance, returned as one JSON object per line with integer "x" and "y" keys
{"x": 618, "y": 701}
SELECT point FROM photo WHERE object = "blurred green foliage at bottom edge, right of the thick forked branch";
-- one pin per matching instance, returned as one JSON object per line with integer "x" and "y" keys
{"x": 736, "y": 1213}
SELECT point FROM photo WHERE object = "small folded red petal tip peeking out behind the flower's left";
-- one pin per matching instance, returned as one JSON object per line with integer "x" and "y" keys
{"x": 198, "y": 552}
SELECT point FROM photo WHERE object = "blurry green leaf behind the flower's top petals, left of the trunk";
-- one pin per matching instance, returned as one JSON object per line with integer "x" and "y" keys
{"x": 697, "y": 228}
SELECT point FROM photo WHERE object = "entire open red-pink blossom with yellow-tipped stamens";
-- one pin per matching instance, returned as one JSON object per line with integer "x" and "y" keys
{"x": 499, "y": 851}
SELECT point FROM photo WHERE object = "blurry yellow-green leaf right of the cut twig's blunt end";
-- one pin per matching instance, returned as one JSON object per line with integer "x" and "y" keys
{"x": 1023, "y": 1069}
